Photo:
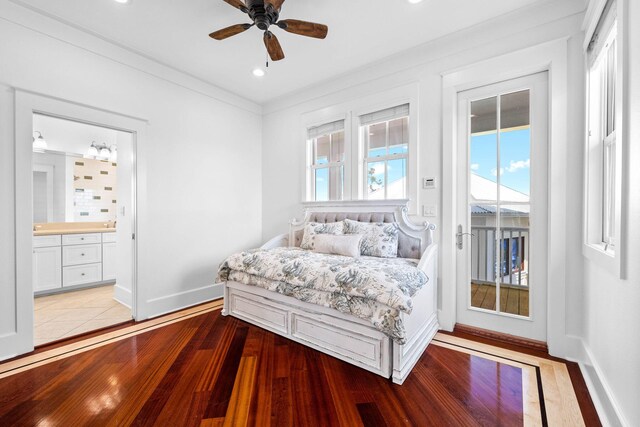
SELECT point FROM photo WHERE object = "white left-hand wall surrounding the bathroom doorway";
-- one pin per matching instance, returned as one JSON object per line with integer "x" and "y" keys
{"x": 201, "y": 155}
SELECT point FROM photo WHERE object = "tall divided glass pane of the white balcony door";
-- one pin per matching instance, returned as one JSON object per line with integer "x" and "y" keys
{"x": 499, "y": 186}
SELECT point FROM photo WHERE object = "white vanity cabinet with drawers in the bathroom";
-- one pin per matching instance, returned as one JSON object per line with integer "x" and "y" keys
{"x": 70, "y": 260}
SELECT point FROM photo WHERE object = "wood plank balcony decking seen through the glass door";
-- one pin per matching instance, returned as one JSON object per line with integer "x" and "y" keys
{"x": 512, "y": 300}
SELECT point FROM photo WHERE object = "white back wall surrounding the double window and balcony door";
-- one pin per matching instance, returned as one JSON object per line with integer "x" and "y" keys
{"x": 283, "y": 152}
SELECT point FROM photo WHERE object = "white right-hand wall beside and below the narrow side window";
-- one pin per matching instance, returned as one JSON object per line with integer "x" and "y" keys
{"x": 611, "y": 314}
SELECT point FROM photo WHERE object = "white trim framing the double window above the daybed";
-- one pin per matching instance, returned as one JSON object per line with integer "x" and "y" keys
{"x": 351, "y": 112}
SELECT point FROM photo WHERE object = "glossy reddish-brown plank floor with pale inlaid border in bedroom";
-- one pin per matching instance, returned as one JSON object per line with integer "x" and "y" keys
{"x": 205, "y": 369}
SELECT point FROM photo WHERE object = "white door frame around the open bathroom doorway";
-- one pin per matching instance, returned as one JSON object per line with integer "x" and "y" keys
{"x": 26, "y": 104}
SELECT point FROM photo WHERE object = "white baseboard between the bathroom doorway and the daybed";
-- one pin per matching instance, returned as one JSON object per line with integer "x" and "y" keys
{"x": 181, "y": 300}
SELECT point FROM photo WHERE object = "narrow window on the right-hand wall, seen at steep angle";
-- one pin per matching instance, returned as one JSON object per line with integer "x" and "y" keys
{"x": 601, "y": 150}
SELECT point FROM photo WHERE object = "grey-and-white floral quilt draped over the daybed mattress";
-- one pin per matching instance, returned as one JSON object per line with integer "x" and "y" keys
{"x": 373, "y": 289}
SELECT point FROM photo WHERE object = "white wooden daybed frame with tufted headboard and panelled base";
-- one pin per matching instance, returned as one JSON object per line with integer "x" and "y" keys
{"x": 342, "y": 335}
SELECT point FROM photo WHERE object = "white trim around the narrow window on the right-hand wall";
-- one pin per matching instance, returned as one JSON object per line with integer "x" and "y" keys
{"x": 594, "y": 247}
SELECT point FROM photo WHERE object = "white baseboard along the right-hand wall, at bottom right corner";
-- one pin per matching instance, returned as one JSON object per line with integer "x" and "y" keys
{"x": 606, "y": 405}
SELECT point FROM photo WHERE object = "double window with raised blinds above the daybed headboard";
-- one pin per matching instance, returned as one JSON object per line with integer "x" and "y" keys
{"x": 363, "y": 149}
